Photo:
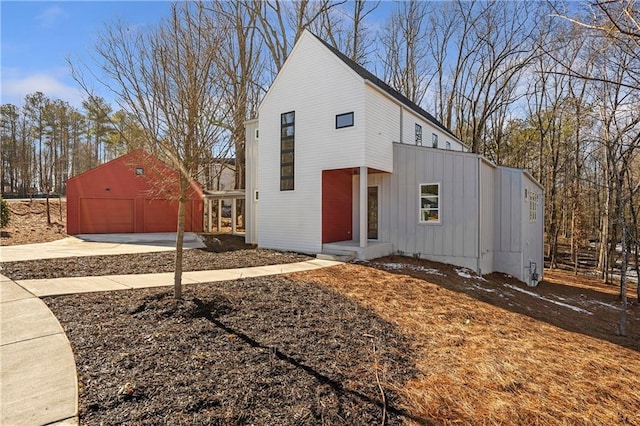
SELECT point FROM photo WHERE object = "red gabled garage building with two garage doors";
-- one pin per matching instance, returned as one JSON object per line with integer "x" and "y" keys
{"x": 133, "y": 193}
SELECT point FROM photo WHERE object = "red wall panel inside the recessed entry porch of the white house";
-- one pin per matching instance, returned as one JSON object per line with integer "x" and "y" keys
{"x": 337, "y": 205}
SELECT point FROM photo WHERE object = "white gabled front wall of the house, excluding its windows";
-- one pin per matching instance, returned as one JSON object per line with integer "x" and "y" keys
{"x": 316, "y": 85}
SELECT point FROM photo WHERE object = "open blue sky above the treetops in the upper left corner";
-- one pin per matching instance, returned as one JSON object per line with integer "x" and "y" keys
{"x": 37, "y": 37}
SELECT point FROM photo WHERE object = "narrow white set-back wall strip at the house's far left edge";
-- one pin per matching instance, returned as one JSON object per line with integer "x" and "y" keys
{"x": 251, "y": 182}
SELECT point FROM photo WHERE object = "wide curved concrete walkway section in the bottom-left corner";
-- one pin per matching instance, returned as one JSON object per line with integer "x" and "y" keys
{"x": 38, "y": 382}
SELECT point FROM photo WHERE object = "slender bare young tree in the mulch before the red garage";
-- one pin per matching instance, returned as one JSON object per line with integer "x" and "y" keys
{"x": 166, "y": 77}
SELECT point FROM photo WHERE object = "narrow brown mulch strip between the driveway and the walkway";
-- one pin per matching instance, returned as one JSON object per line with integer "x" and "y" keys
{"x": 145, "y": 263}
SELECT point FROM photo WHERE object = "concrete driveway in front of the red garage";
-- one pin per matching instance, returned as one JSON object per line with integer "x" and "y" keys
{"x": 98, "y": 245}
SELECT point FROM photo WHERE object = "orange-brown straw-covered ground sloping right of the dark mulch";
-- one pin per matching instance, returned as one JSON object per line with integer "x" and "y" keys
{"x": 481, "y": 364}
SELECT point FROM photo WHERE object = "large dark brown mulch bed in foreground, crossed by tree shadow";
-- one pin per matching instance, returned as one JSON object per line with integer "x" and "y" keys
{"x": 266, "y": 350}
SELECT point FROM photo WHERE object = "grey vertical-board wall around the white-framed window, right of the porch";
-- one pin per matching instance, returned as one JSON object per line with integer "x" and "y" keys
{"x": 455, "y": 239}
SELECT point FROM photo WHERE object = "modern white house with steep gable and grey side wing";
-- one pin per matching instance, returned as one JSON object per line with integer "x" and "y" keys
{"x": 339, "y": 162}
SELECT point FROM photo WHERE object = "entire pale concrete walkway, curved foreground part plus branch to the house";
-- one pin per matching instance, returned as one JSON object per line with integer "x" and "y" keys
{"x": 38, "y": 380}
